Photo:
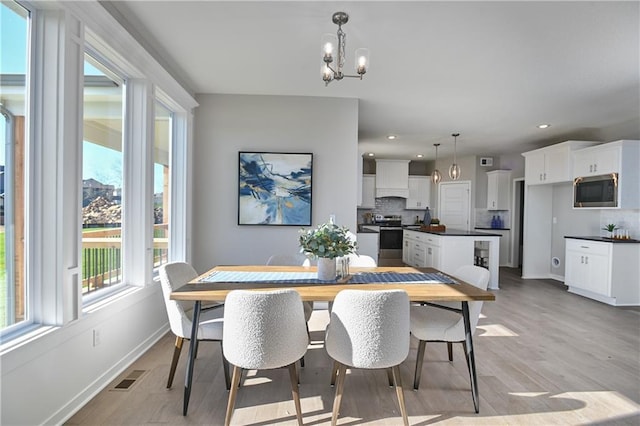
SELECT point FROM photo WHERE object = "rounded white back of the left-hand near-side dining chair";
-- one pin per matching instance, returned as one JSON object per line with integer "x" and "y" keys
{"x": 264, "y": 329}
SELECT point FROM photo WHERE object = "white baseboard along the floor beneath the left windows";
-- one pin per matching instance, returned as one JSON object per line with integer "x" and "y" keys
{"x": 68, "y": 410}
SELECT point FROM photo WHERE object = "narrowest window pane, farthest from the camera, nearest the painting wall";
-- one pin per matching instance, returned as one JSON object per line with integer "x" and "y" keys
{"x": 161, "y": 182}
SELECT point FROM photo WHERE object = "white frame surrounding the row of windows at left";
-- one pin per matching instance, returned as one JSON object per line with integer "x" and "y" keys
{"x": 59, "y": 35}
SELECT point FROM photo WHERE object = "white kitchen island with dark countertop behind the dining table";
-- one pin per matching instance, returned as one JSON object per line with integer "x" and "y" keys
{"x": 450, "y": 249}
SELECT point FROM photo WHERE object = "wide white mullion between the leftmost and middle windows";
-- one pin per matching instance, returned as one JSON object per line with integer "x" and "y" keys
{"x": 54, "y": 207}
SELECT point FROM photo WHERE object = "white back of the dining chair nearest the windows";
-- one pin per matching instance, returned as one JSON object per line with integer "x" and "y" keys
{"x": 173, "y": 276}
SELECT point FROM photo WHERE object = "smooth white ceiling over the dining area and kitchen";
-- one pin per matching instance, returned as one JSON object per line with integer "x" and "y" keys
{"x": 491, "y": 71}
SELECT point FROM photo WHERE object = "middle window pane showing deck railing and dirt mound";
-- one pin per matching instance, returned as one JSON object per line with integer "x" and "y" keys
{"x": 102, "y": 167}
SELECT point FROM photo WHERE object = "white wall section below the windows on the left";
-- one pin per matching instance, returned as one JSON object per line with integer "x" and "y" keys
{"x": 47, "y": 379}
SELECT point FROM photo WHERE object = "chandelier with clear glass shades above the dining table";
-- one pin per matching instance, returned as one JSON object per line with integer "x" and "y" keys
{"x": 329, "y": 44}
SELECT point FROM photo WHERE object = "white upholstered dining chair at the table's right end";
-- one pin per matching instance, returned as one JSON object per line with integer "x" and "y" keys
{"x": 436, "y": 323}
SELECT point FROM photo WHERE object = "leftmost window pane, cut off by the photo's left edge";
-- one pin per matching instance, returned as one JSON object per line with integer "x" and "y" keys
{"x": 14, "y": 21}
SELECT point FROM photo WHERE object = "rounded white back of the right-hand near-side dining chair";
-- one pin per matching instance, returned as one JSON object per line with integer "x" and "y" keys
{"x": 369, "y": 329}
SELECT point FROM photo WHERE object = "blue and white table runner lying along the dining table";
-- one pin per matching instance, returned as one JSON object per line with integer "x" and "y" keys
{"x": 275, "y": 277}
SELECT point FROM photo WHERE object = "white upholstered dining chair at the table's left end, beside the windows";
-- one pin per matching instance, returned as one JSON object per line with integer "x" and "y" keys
{"x": 173, "y": 276}
